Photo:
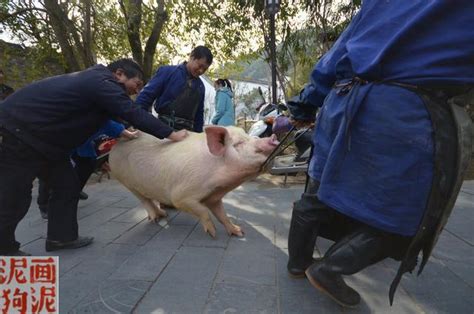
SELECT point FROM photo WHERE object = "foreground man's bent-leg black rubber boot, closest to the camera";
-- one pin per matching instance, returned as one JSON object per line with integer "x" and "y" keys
{"x": 348, "y": 256}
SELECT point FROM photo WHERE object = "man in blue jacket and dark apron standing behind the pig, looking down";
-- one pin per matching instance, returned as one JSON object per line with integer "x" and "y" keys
{"x": 178, "y": 93}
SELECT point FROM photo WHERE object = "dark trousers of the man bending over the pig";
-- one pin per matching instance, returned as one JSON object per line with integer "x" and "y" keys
{"x": 19, "y": 166}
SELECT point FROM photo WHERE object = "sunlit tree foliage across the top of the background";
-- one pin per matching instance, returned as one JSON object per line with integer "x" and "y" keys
{"x": 235, "y": 30}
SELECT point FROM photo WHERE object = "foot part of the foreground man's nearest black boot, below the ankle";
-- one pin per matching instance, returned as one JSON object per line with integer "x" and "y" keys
{"x": 332, "y": 285}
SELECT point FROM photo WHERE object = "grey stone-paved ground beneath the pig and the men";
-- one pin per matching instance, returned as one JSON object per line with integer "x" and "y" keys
{"x": 173, "y": 267}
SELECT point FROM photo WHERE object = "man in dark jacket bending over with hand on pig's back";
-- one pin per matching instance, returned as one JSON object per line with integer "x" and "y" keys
{"x": 42, "y": 123}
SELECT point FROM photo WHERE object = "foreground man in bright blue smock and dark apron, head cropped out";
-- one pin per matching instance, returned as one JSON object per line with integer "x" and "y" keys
{"x": 391, "y": 140}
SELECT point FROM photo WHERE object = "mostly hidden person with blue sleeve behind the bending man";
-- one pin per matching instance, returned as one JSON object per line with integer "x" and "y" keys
{"x": 84, "y": 160}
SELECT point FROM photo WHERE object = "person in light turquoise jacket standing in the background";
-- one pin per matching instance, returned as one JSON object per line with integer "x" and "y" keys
{"x": 224, "y": 115}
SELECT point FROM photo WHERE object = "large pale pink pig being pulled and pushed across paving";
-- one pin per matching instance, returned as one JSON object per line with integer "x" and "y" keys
{"x": 192, "y": 175}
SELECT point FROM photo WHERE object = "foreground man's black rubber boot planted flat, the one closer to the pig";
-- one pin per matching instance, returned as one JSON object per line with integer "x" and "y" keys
{"x": 305, "y": 222}
